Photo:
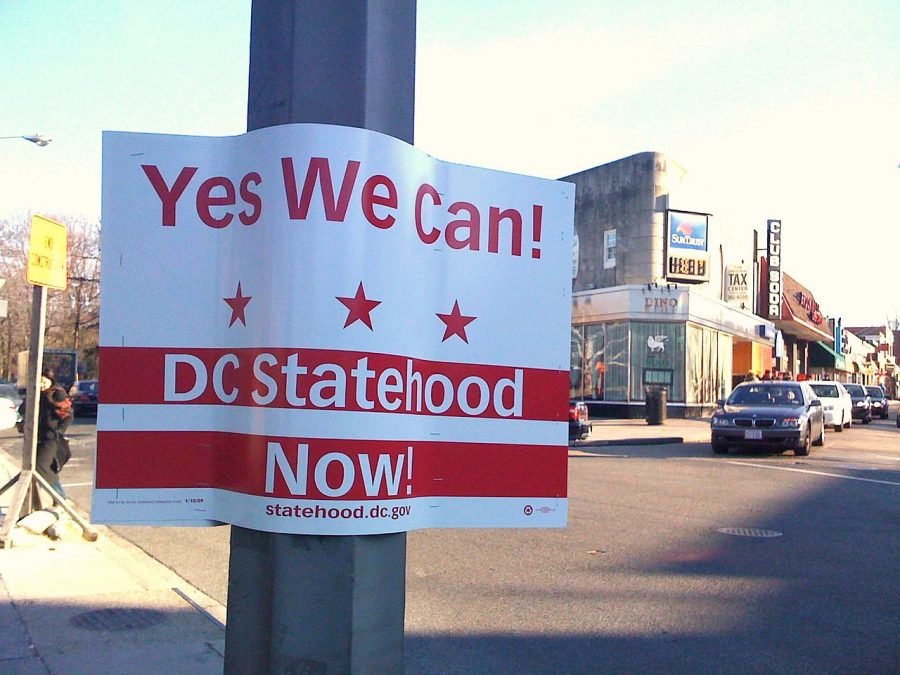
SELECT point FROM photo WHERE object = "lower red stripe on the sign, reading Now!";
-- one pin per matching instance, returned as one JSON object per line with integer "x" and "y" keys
{"x": 327, "y": 468}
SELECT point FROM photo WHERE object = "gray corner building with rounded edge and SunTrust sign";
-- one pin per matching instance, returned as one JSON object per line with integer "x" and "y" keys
{"x": 648, "y": 307}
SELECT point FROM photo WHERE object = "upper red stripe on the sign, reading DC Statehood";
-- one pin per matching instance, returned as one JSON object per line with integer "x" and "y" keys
{"x": 330, "y": 380}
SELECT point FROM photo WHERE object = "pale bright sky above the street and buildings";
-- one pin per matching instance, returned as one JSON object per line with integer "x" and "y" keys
{"x": 787, "y": 109}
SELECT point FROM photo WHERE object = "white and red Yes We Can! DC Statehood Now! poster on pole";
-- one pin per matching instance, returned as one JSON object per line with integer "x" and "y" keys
{"x": 321, "y": 330}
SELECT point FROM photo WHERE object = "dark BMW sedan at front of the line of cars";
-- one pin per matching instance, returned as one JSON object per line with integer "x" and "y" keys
{"x": 779, "y": 415}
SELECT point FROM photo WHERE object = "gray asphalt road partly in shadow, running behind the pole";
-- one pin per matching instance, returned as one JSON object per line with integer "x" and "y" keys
{"x": 674, "y": 560}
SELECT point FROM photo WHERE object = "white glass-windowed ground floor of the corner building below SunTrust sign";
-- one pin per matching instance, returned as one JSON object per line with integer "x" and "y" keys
{"x": 629, "y": 338}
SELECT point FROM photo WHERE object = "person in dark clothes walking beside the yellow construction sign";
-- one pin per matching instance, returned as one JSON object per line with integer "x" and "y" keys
{"x": 54, "y": 417}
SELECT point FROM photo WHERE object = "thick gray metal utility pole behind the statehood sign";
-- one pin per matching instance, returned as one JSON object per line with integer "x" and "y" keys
{"x": 304, "y": 603}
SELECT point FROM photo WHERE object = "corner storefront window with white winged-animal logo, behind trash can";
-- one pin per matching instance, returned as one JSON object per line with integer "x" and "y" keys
{"x": 657, "y": 359}
